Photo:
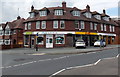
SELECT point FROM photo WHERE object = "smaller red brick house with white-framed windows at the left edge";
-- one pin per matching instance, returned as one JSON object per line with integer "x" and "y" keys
{"x": 11, "y": 34}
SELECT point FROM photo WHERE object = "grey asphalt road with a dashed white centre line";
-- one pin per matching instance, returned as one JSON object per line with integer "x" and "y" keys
{"x": 23, "y": 64}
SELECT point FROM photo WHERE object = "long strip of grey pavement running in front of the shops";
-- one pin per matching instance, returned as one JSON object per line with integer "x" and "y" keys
{"x": 63, "y": 50}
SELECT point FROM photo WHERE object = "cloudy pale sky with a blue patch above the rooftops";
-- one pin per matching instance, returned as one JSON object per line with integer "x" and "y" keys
{"x": 9, "y": 8}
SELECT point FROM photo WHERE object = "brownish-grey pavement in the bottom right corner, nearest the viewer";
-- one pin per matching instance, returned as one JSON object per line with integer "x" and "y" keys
{"x": 104, "y": 67}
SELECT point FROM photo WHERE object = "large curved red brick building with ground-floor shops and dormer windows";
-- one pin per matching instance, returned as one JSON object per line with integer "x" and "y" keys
{"x": 62, "y": 26}
